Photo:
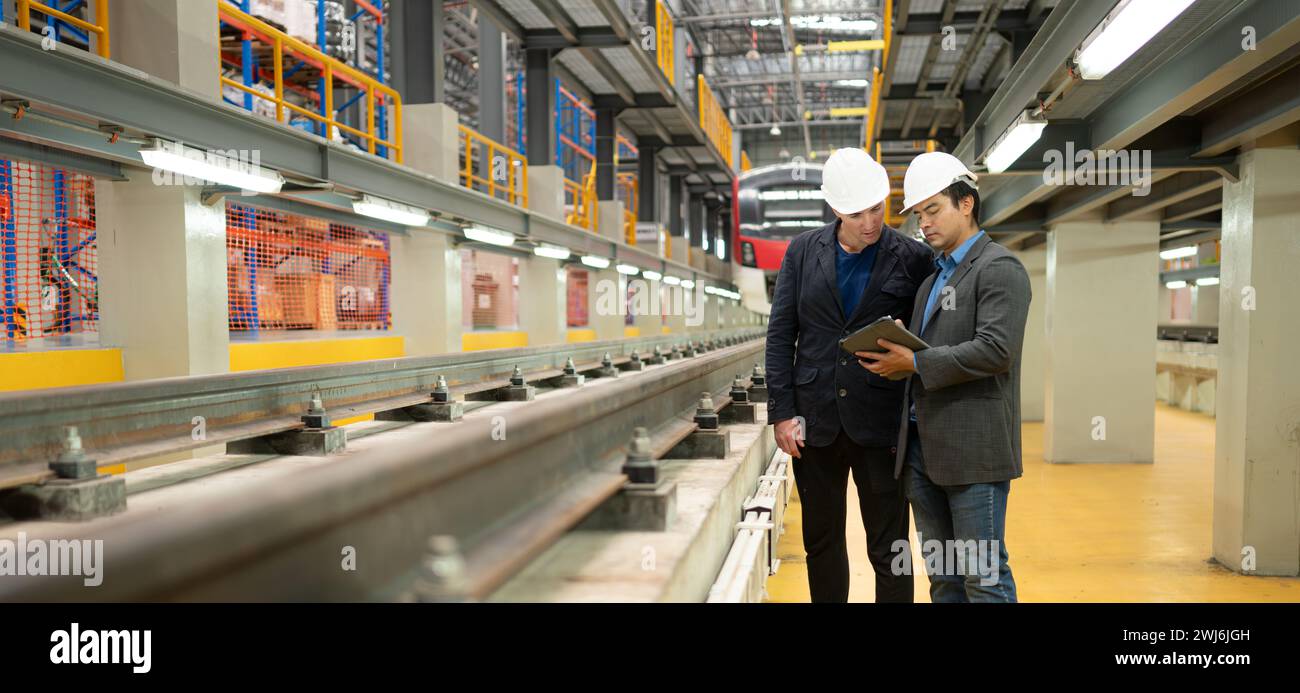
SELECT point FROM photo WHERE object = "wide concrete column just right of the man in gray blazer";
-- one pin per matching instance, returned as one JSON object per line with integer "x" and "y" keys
{"x": 1099, "y": 405}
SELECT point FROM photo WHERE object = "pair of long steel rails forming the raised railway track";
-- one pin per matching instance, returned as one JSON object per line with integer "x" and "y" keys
{"x": 409, "y": 503}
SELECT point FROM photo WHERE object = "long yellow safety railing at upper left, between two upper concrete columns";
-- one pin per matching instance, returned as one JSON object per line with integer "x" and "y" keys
{"x": 284, "y": 45}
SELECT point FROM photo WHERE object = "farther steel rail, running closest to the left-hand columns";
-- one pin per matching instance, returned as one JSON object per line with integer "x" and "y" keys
{"x": 132, "y": 421}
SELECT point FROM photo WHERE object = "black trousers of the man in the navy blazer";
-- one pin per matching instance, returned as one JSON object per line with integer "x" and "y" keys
{"x": 822, "y": 477}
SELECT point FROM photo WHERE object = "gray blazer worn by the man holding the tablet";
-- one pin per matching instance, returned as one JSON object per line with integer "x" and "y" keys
{"x": 968, "y": 387}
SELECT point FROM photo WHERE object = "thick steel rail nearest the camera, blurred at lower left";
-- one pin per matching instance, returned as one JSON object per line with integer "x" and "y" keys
{"x": 505, "y": 500}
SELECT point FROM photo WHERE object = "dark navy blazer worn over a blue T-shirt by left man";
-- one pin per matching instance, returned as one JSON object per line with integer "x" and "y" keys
{"x": 808, "y": 374}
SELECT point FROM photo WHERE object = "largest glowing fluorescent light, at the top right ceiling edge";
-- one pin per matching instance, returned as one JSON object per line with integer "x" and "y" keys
{"x": 1123, "y": 33}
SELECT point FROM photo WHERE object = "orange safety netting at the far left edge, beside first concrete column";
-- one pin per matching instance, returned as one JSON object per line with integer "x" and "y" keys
{"x": 49, "y": 272}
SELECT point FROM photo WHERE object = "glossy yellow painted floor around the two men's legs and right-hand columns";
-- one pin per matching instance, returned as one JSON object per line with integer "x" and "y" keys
{"x": 1089, "y": 532}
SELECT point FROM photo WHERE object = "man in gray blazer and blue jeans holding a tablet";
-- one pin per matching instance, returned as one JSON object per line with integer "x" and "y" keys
{"x": 960, "y": 441}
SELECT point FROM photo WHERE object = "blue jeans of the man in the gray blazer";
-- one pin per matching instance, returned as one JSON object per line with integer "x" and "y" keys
{"x": 969, "y": 523}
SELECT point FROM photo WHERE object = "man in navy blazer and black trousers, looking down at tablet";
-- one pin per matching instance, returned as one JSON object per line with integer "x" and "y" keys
{"x": 829, "y": 414}
